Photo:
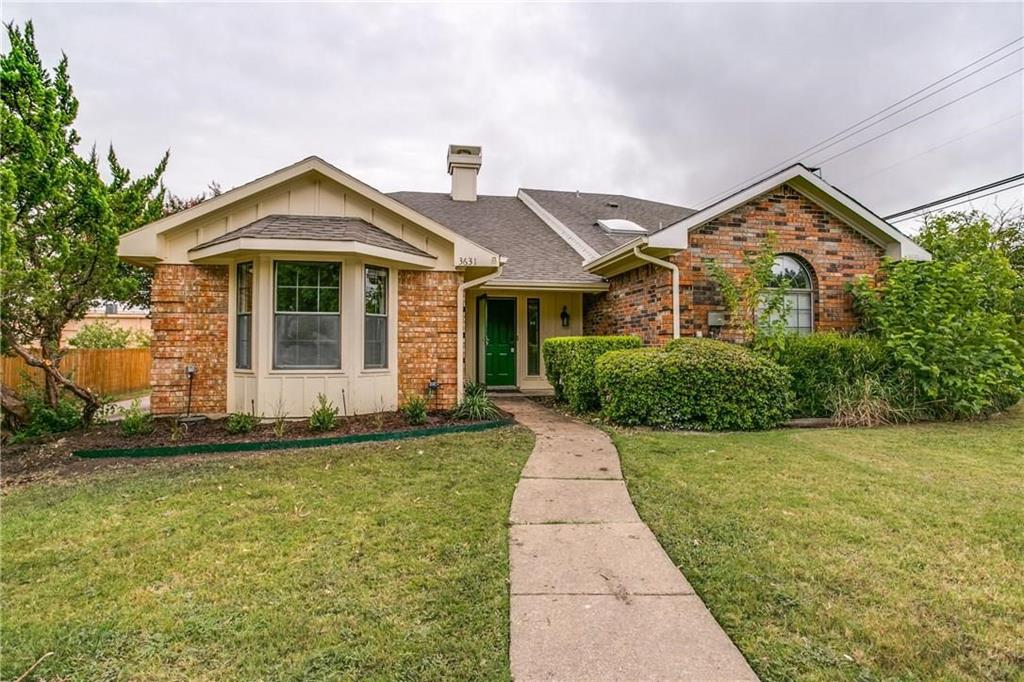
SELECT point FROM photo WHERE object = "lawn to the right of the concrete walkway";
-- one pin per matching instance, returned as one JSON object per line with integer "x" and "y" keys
{"x": 841, "y": 555}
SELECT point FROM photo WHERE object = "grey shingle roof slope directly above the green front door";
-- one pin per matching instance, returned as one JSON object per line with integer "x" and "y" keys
{"x": 507, "y": 227}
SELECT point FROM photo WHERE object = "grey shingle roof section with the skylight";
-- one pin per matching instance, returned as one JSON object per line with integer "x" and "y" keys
{"x": 581, "y": 211}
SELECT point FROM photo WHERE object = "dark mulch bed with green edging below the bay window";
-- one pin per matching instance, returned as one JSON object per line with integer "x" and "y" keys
{"x": 54, "y": 457}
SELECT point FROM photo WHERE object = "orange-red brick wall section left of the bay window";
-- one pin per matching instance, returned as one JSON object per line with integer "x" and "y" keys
{"x": 190, "y": 327}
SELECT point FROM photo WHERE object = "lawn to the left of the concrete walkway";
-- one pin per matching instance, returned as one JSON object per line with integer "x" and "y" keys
{"x": 385, "y": 562}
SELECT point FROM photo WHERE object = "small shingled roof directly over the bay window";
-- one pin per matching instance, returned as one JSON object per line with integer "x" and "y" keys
{"x": 331, "y": 229}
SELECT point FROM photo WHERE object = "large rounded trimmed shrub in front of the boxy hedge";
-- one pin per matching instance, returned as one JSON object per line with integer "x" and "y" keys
{"x": 694, "y": 385}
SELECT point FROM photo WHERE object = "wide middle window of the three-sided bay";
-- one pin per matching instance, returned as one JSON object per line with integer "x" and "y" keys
{"x": 308, "y": 316}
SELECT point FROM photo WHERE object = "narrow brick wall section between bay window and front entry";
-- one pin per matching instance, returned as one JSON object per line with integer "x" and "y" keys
{"x": 429, "y": 334}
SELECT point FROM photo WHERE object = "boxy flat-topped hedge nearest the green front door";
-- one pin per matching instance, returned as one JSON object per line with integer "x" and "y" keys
{"x": 569, "y": 363}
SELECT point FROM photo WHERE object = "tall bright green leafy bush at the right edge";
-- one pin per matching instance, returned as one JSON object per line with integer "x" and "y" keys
{"x": 954, "y": 326}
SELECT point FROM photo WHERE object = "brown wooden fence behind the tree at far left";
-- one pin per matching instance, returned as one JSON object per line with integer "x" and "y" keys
{"x": 111, "y": 372}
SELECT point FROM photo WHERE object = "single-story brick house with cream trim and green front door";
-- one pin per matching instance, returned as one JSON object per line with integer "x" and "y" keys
{"x": 309, "y": 281}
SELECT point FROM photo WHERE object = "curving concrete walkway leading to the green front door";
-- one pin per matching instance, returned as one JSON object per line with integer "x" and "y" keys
{"x": 594, "y": 596}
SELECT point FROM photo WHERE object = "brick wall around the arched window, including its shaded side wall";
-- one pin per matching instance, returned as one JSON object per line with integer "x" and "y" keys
{"x": 641, "y": 302}
